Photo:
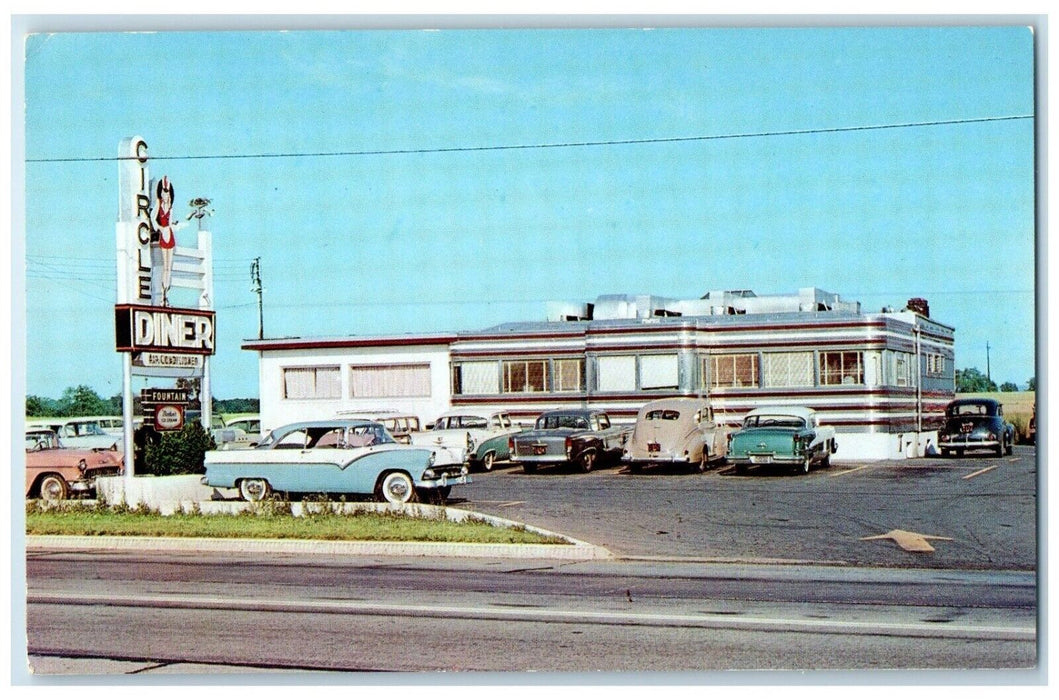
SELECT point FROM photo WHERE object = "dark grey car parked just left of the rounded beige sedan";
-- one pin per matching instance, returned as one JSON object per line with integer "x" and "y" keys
{"x": 585, "y": 438}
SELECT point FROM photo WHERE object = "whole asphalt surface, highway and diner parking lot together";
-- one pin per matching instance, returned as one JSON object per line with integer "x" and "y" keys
{"x": 716, "y": 572}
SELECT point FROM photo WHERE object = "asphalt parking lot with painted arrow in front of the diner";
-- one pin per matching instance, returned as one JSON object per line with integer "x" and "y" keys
{"x": 988, "y": 506}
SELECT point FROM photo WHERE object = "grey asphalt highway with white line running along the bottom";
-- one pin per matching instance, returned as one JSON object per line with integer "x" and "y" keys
{"x": 149, "y": 614}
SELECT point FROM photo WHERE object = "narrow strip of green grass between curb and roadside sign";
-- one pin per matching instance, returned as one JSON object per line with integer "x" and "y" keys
{"x": 358, "y": 527}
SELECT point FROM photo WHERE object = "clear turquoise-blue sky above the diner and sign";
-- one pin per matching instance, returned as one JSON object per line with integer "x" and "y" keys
{"x": 408, "y": 182}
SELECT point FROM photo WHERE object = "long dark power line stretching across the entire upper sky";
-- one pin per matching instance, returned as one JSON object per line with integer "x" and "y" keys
{"x": 567, "y": 145}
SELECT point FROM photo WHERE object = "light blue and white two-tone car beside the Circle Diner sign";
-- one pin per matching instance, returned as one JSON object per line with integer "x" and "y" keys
{"x": 336, "y": 457}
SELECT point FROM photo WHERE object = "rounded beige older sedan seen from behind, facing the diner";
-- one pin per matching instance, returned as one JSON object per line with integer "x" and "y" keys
{"x": 676, "y": 432}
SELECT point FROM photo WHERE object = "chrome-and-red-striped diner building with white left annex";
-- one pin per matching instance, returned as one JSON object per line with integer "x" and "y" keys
{"x": 882, "y": 380}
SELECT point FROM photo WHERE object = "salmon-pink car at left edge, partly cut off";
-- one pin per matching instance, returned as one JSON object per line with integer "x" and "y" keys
{"x": 55, "y": 473}
